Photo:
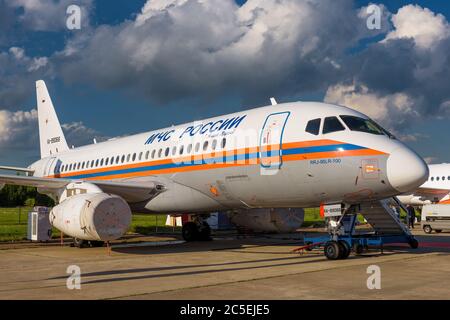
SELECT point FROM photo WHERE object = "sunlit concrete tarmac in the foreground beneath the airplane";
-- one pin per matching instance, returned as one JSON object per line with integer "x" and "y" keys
{"x": 229, "y": 267}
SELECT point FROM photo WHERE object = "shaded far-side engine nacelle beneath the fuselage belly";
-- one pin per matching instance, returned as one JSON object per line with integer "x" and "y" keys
{"x": 274, "y": 220}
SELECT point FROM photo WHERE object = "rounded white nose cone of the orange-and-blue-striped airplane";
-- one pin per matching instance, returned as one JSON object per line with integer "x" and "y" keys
{"x": 406, "y": 171}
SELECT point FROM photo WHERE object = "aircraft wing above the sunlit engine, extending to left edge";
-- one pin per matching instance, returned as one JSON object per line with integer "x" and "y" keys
{"x": 130, "y": 191}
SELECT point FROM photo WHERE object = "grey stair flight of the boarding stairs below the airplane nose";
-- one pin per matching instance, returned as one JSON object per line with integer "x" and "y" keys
{"x": 383, "y": 218}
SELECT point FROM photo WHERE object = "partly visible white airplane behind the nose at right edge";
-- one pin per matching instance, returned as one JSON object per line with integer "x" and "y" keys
{"x": 435, "y": 190}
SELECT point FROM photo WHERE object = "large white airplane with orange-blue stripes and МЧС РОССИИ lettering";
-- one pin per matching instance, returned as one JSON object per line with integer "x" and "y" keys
{"x": 289, "y": 156}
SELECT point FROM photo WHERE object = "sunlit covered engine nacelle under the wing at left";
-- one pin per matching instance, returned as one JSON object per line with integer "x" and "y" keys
{"x": 92, "y": 216}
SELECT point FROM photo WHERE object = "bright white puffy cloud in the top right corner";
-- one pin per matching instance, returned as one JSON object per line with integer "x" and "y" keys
{"x": 421, "y": 24}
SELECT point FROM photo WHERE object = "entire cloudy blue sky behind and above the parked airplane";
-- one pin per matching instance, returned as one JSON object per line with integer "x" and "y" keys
{"x": 130, "y": 70}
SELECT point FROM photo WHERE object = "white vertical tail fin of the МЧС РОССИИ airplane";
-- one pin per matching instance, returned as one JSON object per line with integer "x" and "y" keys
{"x": 51, "y": 136}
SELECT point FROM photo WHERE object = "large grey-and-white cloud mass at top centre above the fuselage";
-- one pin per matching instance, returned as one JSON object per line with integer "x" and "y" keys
{"x": 182, "y": 48}
